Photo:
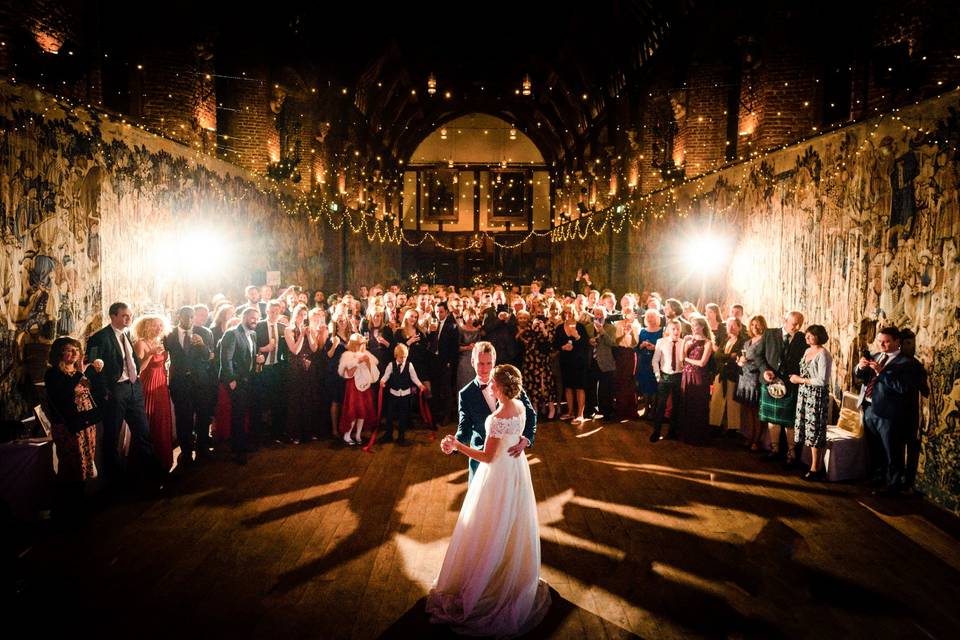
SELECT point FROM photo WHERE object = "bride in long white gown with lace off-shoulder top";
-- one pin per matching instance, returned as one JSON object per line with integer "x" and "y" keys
{"x": 490, "y": 580}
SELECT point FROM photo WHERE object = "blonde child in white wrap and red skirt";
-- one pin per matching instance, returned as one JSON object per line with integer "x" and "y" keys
{"x": 358, "y": 368}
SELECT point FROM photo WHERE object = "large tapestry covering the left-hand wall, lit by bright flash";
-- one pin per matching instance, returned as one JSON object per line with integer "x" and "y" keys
{"x": 94, "y": 211}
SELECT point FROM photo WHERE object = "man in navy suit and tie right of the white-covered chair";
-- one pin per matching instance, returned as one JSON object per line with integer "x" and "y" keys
{"x": 890, "y": 379}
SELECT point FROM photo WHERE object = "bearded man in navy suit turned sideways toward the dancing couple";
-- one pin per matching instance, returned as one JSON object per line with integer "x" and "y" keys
{"x": 238, "y": 356}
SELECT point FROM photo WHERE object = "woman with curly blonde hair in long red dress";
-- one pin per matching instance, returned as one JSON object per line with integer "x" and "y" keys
{"x": 148, "y": 347}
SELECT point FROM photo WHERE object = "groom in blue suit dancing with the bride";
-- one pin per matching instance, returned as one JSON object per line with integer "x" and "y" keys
{"x": 476, "y": 402}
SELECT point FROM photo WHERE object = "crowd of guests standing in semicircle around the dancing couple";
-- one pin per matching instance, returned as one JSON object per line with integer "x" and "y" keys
{"x": 292, "y": 366}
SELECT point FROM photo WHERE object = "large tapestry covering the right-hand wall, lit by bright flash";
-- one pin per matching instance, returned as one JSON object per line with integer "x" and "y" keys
{"x": 855, "y": 228}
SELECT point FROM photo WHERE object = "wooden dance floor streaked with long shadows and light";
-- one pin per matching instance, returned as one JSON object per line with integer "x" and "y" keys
{"x": 657, "y": 541}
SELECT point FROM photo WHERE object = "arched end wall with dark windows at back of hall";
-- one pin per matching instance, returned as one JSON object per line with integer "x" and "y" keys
{"x": 479, "y": 186}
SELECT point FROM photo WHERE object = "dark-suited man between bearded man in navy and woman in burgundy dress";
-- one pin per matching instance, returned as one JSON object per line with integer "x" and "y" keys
{"x": 269, "y": 383}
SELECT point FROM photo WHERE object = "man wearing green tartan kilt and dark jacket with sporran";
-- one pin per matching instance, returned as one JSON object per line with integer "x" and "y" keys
{"x": 779, "y": 357}
